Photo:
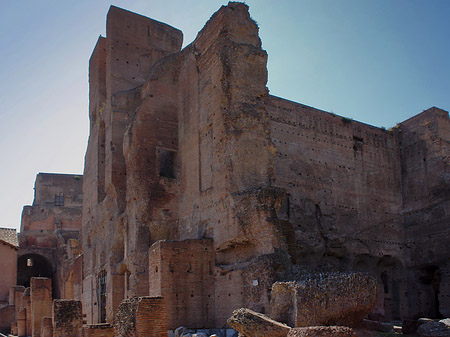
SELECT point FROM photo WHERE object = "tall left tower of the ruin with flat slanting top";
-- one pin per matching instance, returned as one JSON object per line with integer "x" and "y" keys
{"x": 118, "y": 66}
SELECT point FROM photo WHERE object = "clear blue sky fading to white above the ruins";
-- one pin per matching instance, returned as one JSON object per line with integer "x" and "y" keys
{"x": 376, "y": 61}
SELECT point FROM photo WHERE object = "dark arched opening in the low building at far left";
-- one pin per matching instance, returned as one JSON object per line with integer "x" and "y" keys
{"x": 32, "y": 265}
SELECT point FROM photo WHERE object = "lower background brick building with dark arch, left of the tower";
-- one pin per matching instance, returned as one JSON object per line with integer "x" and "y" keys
{"x": 47, "y": 227}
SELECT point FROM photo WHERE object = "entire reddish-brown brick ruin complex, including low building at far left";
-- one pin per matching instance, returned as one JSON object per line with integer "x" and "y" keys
{"x": 201, "y": 190}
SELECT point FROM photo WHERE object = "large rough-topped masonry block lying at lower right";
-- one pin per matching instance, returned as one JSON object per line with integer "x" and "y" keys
{"x": 324, "y": 299}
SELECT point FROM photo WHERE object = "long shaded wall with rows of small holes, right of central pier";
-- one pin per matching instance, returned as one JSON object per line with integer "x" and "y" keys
{"x": 342, "y": 180}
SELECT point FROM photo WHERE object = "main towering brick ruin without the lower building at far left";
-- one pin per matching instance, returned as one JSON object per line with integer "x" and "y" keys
{"x": 187, "y": 145}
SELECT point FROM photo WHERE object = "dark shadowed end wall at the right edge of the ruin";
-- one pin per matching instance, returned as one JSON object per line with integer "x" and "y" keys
{"x": 424, "y": 149}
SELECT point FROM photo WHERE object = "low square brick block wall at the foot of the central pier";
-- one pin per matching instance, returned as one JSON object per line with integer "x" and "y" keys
{"x": 182, "y": 272}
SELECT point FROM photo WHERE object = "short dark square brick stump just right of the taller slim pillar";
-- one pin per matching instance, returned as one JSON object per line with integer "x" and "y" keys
{"x": 67, "y": 318}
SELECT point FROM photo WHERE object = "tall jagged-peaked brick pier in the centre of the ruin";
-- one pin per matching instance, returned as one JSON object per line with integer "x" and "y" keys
{"x": 225, "y": 152}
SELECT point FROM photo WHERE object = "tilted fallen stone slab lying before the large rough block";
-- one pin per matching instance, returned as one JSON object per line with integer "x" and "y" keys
{"x": 253, "y": 324}
